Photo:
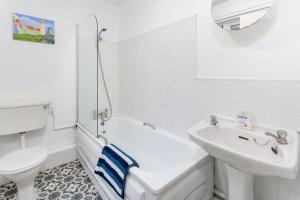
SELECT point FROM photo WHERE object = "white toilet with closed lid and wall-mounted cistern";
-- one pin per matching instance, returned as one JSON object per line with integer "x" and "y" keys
{"x": 23, "y": 165}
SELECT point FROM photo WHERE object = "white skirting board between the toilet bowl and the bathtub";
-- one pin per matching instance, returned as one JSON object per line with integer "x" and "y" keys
{"x": 56, "y": 158}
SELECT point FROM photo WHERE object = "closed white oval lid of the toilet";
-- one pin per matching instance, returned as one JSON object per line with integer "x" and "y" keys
{"x": 22, "y": 160}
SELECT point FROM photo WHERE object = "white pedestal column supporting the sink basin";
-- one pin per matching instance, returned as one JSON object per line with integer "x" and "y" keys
{"x": 240, "y": 184}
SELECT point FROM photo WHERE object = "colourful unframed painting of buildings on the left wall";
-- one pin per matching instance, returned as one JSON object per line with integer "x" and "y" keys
{"x": 33, "y": 29}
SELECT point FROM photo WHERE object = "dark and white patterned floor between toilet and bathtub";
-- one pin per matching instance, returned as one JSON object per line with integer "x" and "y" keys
{"x": 66, "y": 182}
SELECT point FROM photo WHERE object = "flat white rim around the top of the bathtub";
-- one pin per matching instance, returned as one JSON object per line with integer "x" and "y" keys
{"x": 156, "y": 182}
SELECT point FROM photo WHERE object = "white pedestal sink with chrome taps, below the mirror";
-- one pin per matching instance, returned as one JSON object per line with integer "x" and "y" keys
{"x": 247, "y": 153}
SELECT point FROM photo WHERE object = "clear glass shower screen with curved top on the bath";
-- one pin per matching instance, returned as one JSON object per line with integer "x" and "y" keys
{"x": 87, "y": 74}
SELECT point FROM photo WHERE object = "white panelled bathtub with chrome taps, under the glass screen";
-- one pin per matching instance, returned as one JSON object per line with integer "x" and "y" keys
{"x": 171, "y": 168}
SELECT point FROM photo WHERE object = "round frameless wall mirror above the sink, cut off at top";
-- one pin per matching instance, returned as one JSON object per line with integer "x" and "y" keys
{"x": 239, "y": 14}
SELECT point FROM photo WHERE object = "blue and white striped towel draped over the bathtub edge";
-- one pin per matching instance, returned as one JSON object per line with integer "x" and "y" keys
{"x": 113, "y": 166}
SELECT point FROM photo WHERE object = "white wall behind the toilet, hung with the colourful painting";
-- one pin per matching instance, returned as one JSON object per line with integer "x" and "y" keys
{"x": 34, "y": 70}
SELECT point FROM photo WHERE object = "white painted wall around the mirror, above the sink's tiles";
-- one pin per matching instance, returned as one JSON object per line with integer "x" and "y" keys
{"x": 267, "y": 50}
